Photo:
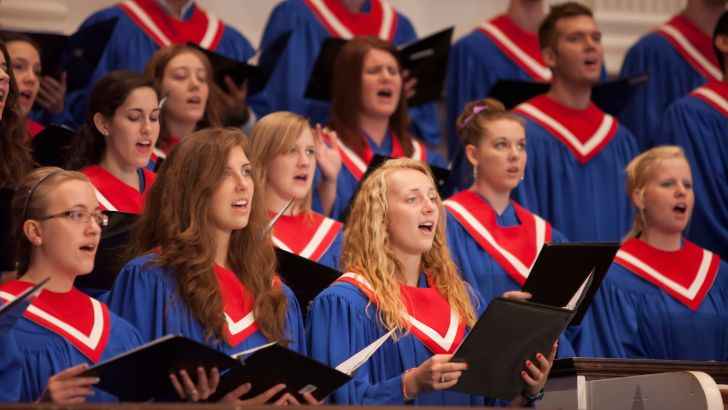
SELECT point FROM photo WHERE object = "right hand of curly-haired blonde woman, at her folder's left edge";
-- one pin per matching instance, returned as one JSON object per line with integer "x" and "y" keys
{"x": 435, "y": 373}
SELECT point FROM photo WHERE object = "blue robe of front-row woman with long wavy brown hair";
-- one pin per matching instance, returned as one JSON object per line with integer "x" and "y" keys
{"x": 146, "y": 295}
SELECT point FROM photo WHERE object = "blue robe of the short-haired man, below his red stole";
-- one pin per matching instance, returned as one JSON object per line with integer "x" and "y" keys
{"x": 585, "y": 202}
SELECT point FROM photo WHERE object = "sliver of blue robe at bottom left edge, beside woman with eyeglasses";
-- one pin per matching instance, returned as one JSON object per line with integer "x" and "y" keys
{"x": 10, "y": 360}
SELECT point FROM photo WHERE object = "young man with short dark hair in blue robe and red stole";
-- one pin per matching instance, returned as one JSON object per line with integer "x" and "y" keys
{"x": 576, "y": 153}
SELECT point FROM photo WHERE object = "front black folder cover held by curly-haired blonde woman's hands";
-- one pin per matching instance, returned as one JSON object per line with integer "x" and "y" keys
{"x": 507, "y": 334}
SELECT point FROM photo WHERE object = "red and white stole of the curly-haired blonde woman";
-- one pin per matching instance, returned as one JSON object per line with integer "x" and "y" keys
{"x": 432, "y": 319}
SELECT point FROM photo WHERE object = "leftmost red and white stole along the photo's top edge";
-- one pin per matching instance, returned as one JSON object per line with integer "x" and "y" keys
{"x": 202, "y": 28}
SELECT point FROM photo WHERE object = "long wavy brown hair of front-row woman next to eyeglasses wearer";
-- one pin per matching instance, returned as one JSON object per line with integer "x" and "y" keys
{"x": 176, "y": 220}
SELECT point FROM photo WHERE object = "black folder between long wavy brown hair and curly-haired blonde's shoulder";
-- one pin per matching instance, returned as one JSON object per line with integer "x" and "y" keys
{"x": 305, "y": 277}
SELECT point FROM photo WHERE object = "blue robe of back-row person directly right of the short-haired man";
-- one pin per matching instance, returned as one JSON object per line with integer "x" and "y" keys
{"x": 670, "y": 77}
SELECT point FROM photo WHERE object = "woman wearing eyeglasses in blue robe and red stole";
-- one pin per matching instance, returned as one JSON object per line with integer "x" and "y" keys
{"x": 58, "y": 223}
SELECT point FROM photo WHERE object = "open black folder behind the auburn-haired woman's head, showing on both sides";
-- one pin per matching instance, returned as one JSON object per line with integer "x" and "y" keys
{"x": 425, "y": 58}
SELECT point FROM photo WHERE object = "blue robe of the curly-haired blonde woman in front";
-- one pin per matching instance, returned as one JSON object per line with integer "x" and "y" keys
{"x": 342, "y": 322}
